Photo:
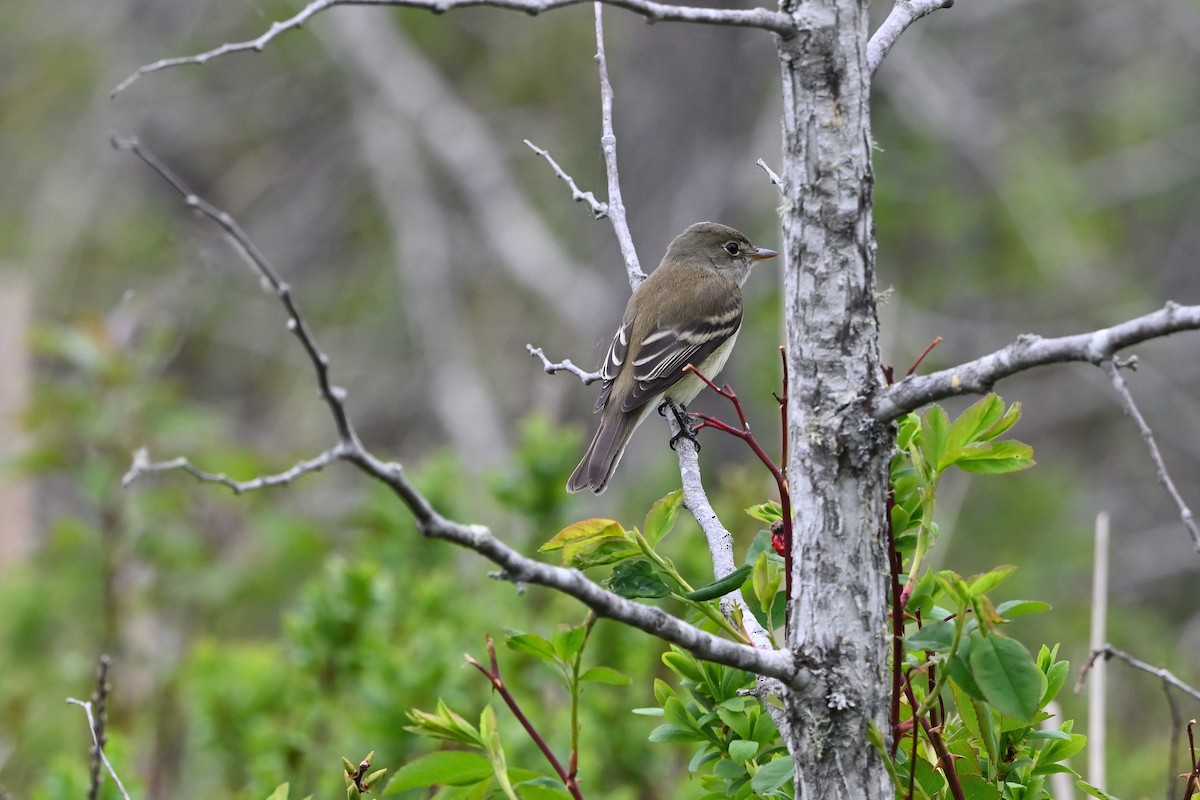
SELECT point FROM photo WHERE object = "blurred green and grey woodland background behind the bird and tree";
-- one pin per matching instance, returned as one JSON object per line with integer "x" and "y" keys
{"x": 1037, "y": 171}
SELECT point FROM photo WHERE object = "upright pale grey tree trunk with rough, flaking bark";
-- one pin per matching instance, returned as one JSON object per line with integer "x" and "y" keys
{"x": 838, "y": 462}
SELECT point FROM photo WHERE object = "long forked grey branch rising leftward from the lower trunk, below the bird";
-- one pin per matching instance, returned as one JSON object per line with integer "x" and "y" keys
{"x": 517, "y": 568}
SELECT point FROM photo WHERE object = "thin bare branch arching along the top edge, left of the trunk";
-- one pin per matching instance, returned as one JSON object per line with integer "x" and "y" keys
{"x": 771, "y": 21}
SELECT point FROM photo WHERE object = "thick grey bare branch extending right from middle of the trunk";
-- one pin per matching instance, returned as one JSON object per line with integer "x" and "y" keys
{"x": 1028, "y": 352}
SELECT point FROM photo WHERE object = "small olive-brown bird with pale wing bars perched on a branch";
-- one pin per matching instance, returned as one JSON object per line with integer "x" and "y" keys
{"x": 688, "y": 311}
